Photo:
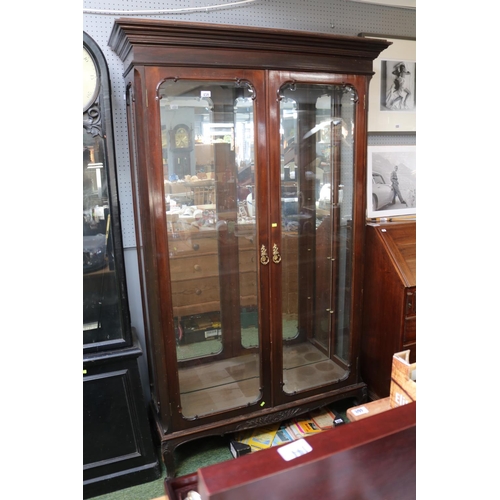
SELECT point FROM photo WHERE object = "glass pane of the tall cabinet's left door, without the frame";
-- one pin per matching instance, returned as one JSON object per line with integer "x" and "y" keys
{"x": 210, "y": 196}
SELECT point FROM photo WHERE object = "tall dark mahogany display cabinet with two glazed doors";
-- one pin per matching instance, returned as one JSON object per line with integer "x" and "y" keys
{"x": 248, "y": 153}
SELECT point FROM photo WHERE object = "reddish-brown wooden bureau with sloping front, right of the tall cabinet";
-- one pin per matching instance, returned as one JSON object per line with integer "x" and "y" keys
{"x": 389, "y": 301}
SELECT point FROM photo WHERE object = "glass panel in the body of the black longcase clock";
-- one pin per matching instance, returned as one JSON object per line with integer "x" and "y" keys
{"x": 101, "y": 308}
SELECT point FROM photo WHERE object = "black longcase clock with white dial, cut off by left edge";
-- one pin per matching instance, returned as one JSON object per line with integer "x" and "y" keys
{"x": 118, "y": 450}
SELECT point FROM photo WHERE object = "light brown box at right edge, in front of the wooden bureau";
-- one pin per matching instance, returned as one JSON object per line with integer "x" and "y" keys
{"x": 403, "y": 380}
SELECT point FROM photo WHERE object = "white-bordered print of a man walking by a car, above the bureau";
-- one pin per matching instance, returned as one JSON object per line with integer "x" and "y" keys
{"x": 392, "y": 181}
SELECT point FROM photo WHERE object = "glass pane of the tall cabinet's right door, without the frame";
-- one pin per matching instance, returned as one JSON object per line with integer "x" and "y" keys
{"x": 316, "y": 189}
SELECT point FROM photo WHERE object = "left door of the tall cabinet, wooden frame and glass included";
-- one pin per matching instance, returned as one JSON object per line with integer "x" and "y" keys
{"x": 199, "y": 236}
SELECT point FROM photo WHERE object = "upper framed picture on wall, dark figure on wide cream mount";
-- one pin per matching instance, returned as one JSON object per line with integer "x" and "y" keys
{"x": 392, "y": 101}
